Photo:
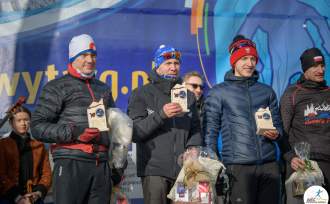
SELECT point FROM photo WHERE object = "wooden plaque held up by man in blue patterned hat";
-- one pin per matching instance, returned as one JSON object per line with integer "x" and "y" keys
{"x": 179, "y": 95}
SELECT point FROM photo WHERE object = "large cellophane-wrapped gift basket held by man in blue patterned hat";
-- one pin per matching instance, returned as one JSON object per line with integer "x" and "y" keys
{"x": 196, "y": 180}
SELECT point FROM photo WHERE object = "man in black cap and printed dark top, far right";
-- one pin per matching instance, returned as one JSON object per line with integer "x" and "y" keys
{"x": 305, "y": 109}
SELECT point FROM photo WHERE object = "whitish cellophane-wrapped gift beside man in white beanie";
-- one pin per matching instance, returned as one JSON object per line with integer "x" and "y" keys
{"x": 121, "y": 130}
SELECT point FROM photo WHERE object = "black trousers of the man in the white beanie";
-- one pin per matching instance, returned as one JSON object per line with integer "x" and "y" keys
{"x": 81, "y": 182}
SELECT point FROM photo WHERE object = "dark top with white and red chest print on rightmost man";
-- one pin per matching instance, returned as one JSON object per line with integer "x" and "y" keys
{"x": 305, "y": 110}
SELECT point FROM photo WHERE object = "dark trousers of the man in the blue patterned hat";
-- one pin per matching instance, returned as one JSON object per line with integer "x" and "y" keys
{"x": 156, "y": 188}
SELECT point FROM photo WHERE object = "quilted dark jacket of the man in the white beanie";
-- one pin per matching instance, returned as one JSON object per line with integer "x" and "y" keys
{"x": 61, "y": 114}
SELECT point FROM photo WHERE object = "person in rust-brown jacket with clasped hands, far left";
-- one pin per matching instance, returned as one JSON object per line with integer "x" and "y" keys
{"x": 25, "y": 173}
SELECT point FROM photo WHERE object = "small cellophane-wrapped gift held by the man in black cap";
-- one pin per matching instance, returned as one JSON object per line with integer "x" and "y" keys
{"x": 309, "y": 176}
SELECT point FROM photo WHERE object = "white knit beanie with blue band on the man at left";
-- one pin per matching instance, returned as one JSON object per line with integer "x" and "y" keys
{"x": 79, "y": 45}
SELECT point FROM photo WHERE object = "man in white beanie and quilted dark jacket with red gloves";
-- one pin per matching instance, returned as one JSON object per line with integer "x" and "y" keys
{"x": 81, "y": 171}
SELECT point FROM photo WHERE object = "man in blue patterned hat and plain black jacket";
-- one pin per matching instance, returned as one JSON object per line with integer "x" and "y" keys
{"x": 162, "y": 131}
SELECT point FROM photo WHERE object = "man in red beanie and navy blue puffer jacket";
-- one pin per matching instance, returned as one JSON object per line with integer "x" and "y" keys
{"x": 229, "y": 111}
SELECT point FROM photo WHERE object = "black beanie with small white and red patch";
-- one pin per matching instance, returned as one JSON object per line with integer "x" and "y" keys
{"x": 311, "y": 57}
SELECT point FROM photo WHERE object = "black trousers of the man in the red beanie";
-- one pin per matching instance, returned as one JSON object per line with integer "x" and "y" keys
{"x": 254, "y": 184}
